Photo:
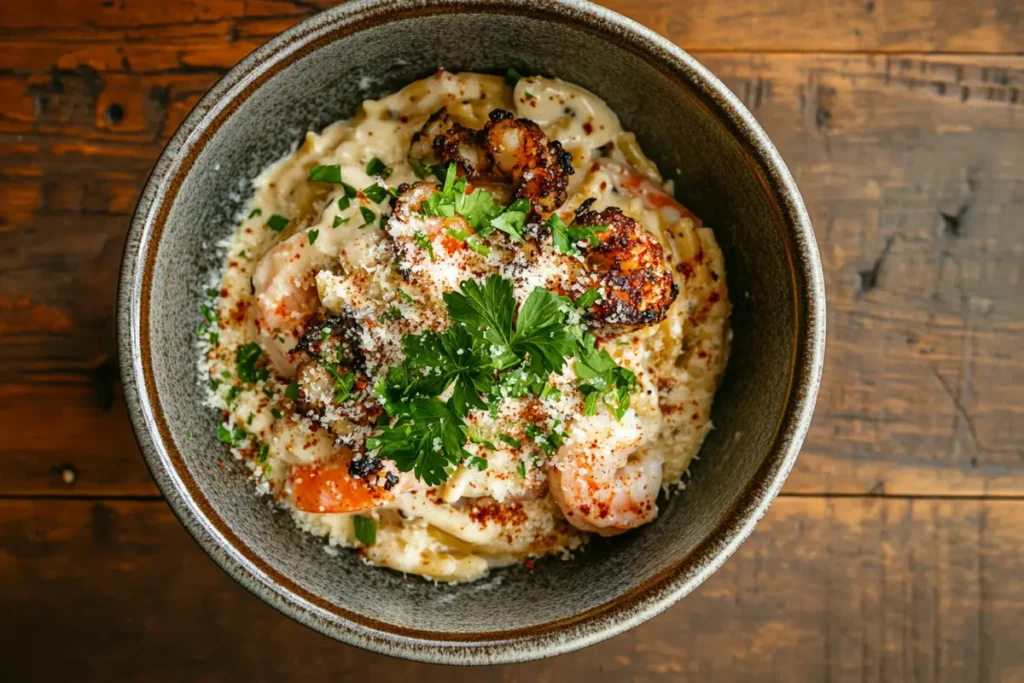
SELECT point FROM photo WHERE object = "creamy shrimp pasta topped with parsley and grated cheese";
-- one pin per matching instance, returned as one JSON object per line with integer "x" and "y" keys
{"x": 468, "y": 327}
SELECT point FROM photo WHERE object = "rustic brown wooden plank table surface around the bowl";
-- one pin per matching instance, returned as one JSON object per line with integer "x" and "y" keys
{"x": 894, "y": 553}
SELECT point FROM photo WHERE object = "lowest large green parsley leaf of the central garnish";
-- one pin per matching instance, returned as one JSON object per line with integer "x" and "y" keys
{"x": 426, "y": 440}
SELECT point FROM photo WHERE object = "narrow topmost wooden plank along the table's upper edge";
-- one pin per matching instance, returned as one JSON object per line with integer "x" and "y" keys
{"x": 148, "y": 36}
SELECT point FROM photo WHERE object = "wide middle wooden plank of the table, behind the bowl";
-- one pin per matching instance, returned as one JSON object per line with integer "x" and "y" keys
{"x": 911, "y": 166}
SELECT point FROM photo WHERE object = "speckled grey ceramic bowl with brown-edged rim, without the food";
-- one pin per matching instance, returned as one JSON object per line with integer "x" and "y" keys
{"x": 699, "y": 134}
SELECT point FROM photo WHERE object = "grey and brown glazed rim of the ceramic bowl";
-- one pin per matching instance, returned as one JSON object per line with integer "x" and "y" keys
{"x": 613, "y": 618}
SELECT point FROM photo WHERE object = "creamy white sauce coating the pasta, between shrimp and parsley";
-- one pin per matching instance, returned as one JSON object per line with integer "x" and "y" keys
{"x": 453, "y": 533}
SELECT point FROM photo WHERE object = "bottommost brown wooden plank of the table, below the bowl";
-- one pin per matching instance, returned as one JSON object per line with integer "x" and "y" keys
{"x": 840, "y": 590}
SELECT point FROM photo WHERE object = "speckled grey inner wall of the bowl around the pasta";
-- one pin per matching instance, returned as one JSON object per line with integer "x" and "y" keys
{"x": 677, "y": 124}
